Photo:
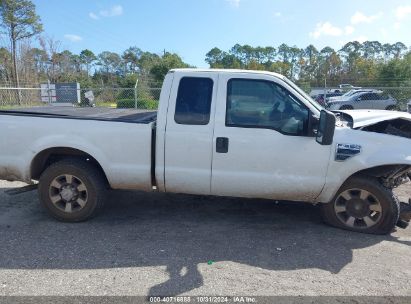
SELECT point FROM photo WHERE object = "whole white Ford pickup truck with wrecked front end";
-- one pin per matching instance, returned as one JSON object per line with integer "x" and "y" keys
{"x": 217, "y": 132}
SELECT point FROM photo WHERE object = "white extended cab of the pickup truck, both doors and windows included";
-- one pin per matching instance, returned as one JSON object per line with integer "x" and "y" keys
{"x": 234, "y": 133}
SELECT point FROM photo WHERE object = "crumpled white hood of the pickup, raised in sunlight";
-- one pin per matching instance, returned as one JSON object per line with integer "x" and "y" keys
{"x": 362, "y": 118}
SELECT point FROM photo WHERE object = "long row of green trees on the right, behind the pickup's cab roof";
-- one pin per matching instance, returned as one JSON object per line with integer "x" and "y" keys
{"x": 364, "y": 64}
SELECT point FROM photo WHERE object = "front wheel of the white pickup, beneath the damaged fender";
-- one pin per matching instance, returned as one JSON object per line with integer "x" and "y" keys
{"x": 362, "y": 204}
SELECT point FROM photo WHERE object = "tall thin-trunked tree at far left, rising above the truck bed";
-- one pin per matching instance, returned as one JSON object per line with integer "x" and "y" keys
{"x": 20, "y": 21}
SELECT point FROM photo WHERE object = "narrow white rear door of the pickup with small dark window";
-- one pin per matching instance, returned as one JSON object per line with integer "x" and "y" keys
{"x": 189, "y": 133}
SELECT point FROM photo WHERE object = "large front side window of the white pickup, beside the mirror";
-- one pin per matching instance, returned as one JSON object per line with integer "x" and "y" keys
{"x": 264, "y": 104}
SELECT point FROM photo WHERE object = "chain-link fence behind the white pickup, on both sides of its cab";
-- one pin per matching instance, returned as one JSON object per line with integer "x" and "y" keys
{"x": 147, "y": 97}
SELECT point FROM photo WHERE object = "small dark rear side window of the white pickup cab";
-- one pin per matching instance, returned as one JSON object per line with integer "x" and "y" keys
{"x": 193, "y": 102}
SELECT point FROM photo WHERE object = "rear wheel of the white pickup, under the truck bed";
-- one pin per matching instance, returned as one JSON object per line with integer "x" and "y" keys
{"x": 72, "y": 190}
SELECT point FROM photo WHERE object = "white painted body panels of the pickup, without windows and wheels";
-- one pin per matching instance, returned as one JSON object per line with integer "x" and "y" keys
{"x": 260, "y": 163}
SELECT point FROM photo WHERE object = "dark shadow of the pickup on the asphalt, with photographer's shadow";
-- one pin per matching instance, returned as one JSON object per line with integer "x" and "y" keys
{"x": 176, "y": 231}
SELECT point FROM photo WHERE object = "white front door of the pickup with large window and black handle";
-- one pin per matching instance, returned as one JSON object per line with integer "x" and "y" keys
{"x": 261, "y": 143}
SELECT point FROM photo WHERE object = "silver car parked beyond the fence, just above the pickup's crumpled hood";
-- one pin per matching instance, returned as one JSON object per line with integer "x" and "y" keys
{"x": 364, "y": 100}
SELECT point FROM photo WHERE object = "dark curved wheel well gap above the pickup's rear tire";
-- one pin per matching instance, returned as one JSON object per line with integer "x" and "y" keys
{"x": 48, "y": 156}
